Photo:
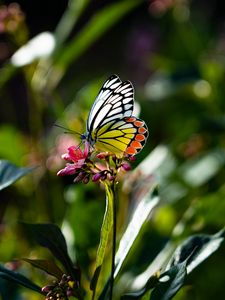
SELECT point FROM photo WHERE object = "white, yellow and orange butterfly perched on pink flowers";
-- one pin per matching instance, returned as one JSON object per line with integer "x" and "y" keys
{"x": 110, "y": 126}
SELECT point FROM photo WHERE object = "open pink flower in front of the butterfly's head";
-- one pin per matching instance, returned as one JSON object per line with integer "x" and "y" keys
{"x": 77, "y": 157}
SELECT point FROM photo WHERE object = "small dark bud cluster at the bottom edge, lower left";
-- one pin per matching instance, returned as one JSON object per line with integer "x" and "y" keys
{"x": 60, "y": 290}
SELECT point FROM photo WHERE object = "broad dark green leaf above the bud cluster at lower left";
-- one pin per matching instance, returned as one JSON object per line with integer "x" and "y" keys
{"x": 51, "y": 237}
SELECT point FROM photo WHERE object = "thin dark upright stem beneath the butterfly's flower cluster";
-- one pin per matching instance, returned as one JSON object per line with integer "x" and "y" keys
{"x": 113, "y": 243}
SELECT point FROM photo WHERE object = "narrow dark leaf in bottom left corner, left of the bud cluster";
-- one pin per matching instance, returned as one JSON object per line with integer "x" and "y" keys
{"x": 18, "y": 278}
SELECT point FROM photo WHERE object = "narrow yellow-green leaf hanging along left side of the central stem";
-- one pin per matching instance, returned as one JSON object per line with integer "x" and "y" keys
{"x": 105, "y": 231}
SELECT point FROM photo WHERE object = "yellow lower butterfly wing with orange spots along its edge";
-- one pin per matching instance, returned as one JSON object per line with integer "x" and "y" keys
{"x": 127, "y": 135}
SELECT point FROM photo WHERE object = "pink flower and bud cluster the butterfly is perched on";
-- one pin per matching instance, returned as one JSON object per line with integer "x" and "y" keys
{"x": 85, "y": 166}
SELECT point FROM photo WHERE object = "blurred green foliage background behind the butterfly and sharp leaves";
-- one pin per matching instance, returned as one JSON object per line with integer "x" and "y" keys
{"x": 173, "y": 52}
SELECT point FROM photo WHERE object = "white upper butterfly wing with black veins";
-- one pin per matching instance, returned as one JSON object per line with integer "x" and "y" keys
{"x": 114, "y": 101}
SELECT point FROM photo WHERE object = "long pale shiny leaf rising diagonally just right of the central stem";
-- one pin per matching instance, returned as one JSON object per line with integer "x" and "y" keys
{"x": 140, "y": 215}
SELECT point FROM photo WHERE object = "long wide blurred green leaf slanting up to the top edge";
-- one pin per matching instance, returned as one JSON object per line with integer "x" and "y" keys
{"x": 93, "y": 30}
